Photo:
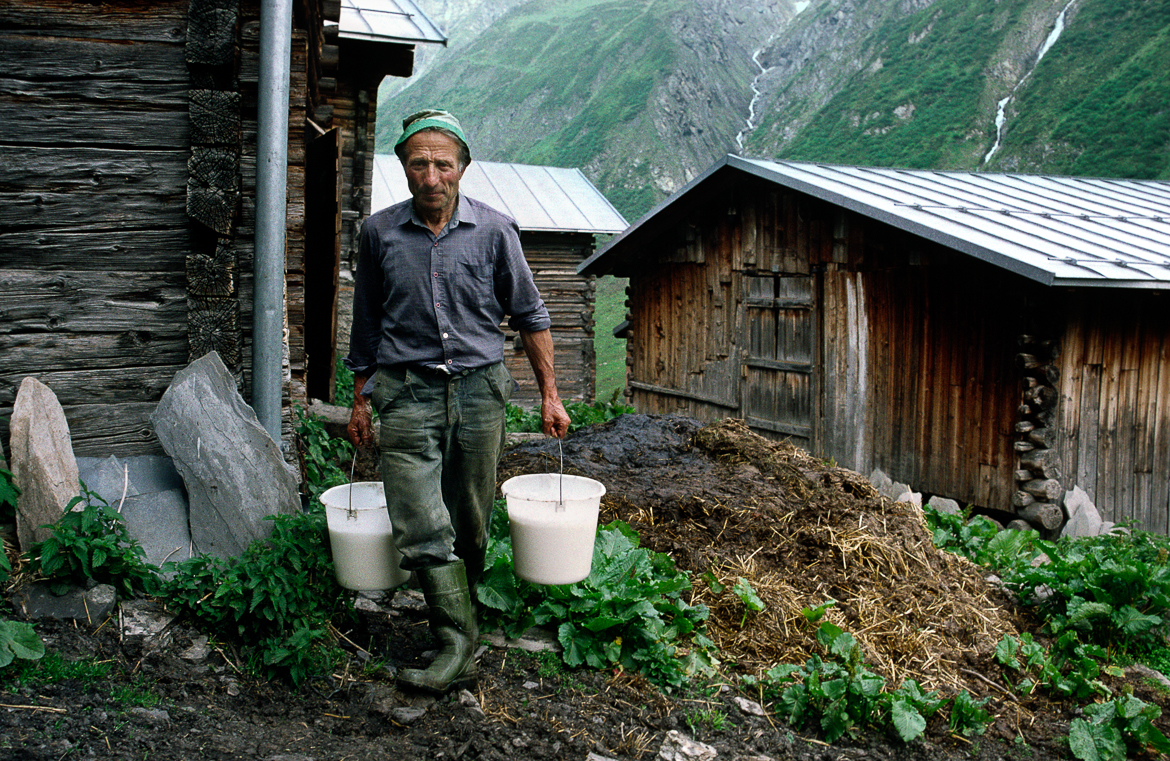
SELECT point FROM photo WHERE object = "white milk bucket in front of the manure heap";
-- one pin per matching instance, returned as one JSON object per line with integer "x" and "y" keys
{"x": 550, "y": 545}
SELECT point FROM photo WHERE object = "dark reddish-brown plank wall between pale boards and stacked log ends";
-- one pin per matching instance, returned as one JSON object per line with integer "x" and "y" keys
{"x": 942, "y": 389}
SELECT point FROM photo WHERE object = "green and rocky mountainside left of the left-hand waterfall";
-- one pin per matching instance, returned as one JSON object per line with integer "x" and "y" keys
{"x": 641, "y": 94}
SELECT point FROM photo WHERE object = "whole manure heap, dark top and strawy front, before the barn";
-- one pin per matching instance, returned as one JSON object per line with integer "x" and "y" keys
{"x": 725, "y": 501}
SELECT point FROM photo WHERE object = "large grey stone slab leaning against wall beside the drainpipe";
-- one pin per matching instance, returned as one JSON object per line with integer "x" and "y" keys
{"x": 233, "y": 471}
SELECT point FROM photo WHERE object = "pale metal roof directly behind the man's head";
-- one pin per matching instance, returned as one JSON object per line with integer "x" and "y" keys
{"x": 539, "y": 198}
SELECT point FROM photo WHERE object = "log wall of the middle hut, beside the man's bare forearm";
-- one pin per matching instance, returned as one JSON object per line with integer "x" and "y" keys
{"x": 569, "y": 298}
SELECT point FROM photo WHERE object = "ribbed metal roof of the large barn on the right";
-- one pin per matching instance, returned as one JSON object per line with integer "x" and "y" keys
{"x": 1059, "y": 231}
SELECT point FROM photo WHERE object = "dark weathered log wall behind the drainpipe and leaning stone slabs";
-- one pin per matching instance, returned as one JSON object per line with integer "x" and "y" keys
{"x": 128, "y": 143}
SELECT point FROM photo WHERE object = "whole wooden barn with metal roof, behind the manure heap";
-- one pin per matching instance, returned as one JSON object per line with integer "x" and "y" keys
{"x": 993, "y": 339}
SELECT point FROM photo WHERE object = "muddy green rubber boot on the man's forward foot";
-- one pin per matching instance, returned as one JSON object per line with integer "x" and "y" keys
{"x": 453, "y": 623}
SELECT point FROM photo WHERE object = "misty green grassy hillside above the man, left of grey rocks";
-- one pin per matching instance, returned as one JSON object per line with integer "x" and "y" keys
{"x": 556, "y": 84}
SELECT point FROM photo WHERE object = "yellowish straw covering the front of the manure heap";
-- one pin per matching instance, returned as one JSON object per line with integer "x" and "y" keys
{"x": 824, "y": 533}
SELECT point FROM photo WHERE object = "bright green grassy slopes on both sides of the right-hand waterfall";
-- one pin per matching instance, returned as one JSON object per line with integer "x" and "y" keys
{"x": 1095, "y": 106}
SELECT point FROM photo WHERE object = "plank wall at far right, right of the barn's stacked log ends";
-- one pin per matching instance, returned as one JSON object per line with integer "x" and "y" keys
{"x": 1114, "y": 434}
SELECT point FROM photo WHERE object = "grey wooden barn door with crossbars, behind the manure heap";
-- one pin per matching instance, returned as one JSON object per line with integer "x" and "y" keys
{"x": 780, "y": 382}
